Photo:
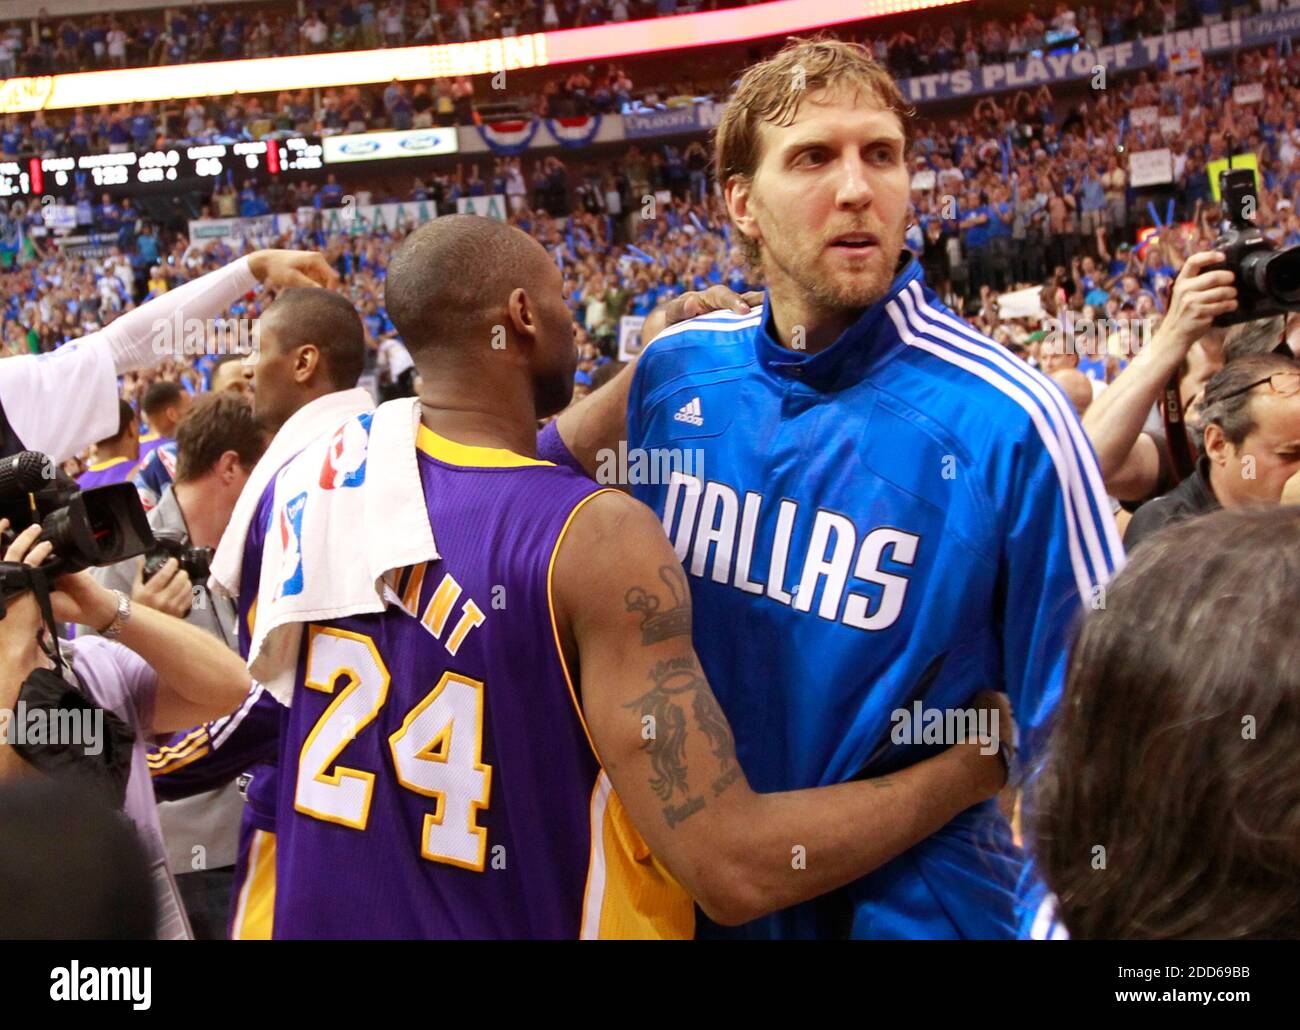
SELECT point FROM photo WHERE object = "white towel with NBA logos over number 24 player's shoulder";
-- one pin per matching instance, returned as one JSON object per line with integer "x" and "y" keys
{"x": 348, "y": 510}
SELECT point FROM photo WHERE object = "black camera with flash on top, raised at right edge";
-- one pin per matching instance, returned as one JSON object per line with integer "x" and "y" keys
{"x": 1268, "y": 279}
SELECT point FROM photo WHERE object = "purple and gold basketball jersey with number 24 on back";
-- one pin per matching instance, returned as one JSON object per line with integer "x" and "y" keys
{"x": 436, "y": 778}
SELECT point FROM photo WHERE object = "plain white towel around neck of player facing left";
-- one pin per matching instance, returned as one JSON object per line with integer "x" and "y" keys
{"x": 310, "y": 422}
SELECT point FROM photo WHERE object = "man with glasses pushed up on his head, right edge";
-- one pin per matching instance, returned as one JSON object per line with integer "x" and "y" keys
{"x": 1251, "y": 414}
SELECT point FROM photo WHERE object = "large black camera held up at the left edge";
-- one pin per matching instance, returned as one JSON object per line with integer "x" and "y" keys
{"x": 88, "y": 529}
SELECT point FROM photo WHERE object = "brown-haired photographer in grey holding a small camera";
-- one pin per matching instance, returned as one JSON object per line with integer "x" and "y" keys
{"x": 219, "y": 442}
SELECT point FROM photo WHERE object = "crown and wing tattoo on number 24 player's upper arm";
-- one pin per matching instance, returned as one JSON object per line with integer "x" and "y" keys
{"x": 662, "y": 709}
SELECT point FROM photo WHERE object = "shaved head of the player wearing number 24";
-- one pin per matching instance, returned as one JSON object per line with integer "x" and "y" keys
{"x": 470, "y": 296}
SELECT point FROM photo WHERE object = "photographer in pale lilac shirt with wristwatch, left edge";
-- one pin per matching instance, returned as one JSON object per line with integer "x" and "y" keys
{"x": 153, "y": 676}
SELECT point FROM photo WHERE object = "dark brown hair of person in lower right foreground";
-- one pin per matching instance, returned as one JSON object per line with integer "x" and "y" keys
{"x": 1168, "y": 800}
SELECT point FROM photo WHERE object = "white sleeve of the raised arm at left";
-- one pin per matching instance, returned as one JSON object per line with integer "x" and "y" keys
{"x": 63, "y": 403}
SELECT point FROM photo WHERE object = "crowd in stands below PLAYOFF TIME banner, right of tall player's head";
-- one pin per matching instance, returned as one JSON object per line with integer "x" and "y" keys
{"x": 1021, "y": 192}
